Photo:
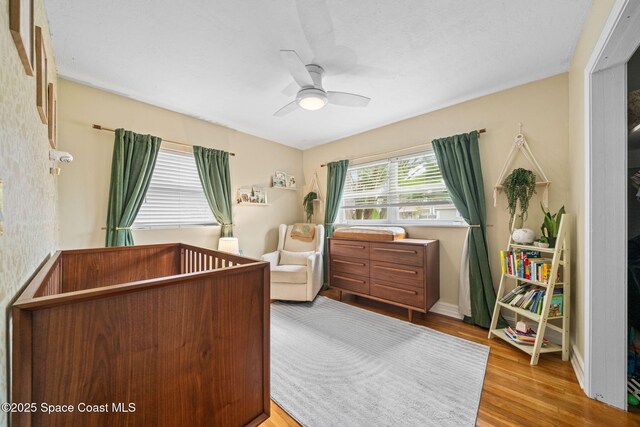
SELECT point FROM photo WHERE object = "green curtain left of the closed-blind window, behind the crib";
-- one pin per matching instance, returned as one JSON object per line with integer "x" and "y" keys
{"x": 134, "y": 158}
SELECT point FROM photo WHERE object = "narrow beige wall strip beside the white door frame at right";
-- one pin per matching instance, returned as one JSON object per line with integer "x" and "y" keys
{"x": 596, "y": 19}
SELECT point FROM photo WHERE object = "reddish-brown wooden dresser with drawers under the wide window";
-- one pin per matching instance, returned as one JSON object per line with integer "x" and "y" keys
{"x": 404, "y": 272}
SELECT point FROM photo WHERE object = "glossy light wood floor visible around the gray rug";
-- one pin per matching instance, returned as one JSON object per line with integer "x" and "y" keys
{"x": 514, "y": 393}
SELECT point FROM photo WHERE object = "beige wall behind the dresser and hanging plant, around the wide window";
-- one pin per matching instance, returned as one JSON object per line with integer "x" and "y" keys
{"x": 541, "y": 106}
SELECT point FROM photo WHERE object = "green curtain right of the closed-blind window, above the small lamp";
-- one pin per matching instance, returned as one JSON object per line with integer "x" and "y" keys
{"x": 213, "y": 169}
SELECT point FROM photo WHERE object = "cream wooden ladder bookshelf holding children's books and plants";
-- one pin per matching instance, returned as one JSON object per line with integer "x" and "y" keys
{"x": 561, "y": 257}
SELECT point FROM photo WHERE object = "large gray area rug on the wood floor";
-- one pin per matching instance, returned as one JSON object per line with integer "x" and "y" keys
{"x": 333, "y": 364}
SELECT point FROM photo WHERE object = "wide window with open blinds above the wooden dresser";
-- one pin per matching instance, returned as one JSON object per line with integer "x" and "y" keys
{"x": 407, "y": 189}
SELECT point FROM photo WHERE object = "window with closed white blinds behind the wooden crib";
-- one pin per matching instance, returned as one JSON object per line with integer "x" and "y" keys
{"x": 175, "y": 197}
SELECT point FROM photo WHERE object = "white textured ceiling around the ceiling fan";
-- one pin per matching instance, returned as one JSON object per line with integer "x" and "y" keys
{"x": 219, "y": 60}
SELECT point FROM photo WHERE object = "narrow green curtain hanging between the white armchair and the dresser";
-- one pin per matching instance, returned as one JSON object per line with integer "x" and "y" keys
{"x": 336, "y": 176}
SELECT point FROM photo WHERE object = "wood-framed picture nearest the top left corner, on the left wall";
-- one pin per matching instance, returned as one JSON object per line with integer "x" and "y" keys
{"x": 22, "y": 31}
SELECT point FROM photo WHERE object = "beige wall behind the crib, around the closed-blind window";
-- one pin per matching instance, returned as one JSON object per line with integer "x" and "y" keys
{"x": 84, "y": 184}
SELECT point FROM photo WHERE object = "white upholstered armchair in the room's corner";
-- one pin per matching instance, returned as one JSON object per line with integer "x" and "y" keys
{"x": 300, "y": 281}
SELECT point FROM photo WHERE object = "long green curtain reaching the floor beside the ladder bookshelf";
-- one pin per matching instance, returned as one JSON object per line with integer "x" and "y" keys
{"x": 459, "y": 161}
